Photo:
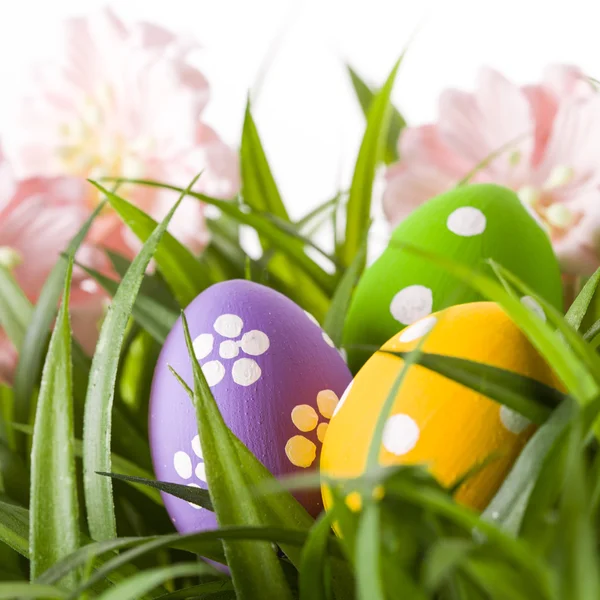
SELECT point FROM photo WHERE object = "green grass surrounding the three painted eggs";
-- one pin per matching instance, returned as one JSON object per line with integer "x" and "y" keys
{"x": 68, "y": 529}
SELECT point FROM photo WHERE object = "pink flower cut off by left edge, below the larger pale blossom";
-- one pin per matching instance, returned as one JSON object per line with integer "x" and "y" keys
{"x": 38, "y": 218}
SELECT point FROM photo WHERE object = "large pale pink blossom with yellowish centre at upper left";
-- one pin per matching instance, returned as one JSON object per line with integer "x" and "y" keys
{"x": 124, "y": 101}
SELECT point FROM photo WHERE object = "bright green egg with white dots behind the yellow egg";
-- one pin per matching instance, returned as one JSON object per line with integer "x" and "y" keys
{"x": 469, "y": 225}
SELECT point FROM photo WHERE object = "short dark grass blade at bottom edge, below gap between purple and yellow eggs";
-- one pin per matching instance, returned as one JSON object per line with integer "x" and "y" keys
{"x": 312, "y": 582}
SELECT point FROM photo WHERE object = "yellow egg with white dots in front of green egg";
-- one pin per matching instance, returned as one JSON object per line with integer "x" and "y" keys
{"x": 434, "y": 420}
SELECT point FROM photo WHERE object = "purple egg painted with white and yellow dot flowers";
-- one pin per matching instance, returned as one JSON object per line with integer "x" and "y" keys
{"x": 274, "y": 373}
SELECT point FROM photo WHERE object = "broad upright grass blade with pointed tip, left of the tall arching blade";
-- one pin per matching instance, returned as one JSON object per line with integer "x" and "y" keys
{"x": 54, "y": 507}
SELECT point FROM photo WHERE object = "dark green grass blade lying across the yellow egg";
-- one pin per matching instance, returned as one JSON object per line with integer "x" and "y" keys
{"x": 527, "y": 396}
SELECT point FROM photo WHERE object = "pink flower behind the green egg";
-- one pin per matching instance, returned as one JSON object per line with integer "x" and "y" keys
{"x": 543, "y": 141}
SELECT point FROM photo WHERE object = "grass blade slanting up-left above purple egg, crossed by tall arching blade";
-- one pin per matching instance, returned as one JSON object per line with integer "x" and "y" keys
{"x": 185, "y": 275}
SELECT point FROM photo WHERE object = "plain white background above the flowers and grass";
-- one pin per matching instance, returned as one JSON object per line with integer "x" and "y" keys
{"x": 305, "y": 109}
